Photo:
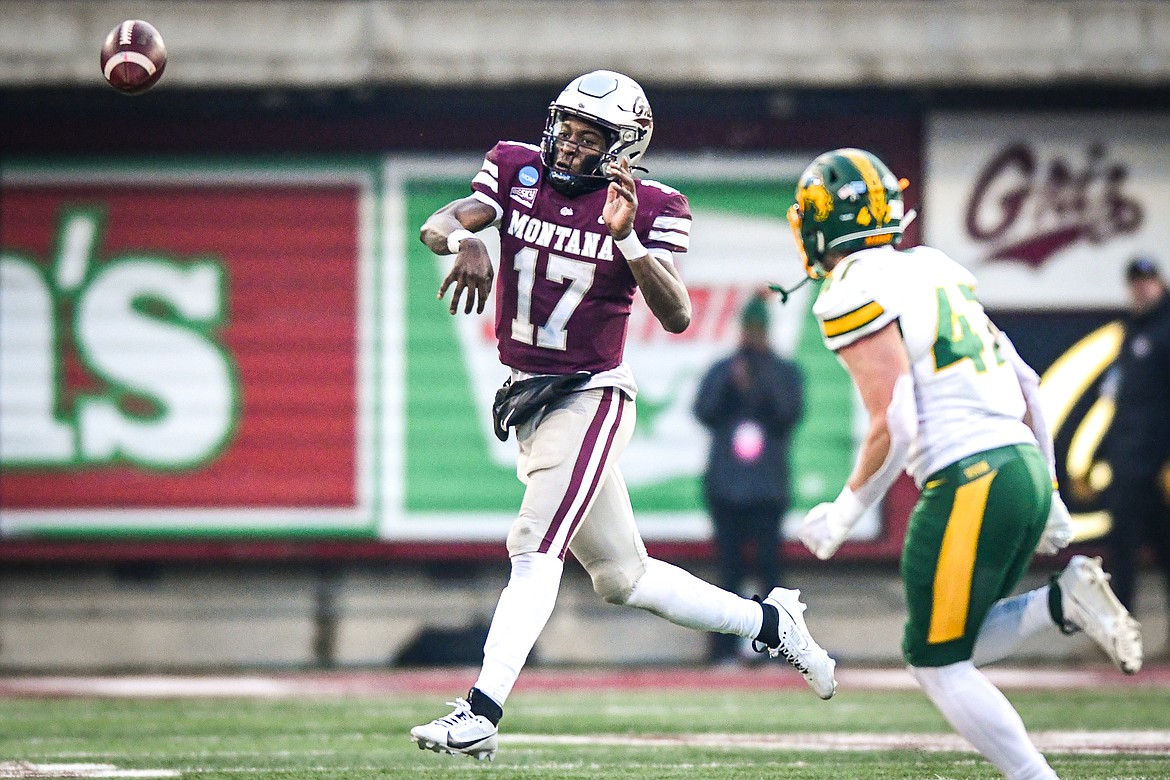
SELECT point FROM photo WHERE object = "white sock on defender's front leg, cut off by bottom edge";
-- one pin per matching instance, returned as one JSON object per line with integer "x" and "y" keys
{"x": 983, "y": 715}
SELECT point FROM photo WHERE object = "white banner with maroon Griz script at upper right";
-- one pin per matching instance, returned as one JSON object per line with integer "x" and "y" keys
{"x": 1047, "y": 210}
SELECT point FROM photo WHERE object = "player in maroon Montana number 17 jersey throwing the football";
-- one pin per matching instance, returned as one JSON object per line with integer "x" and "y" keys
{"x": 580, "y": 234}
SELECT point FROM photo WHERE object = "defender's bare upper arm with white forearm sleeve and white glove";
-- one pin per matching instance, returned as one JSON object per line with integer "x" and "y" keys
{"x": 880, "y": 369}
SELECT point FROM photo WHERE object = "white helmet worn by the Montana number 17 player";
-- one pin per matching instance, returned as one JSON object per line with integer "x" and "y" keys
{"x": 616, "y": 103}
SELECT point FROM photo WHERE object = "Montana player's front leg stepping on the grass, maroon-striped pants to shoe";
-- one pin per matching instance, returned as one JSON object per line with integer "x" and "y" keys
{"x": 562, "y": 459}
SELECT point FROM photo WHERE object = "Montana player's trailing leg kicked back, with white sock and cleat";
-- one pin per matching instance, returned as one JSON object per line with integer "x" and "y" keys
{"x": 610, "y": 548}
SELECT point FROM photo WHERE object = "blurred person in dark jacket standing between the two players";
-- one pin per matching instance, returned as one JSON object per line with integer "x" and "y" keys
{"x": 751, "y": 402}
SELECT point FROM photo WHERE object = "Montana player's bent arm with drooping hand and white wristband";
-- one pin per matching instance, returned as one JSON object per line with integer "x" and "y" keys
{"x": 451, "y": 231}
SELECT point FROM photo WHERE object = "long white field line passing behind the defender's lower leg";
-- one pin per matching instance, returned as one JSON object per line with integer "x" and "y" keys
{"x": 1153, "y": 743}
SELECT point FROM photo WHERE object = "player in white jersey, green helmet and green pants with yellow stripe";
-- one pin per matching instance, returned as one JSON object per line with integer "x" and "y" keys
{"x": 951, "y": 401}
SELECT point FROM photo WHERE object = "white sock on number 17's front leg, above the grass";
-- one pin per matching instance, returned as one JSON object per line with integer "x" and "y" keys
{"x": 524, "y": 610}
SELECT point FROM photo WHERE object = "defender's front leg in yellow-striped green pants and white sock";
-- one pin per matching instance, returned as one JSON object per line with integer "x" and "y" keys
{"x": 974, "y": 524}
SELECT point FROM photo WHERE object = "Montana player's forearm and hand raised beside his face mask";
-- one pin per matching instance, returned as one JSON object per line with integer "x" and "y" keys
{"x": 662, "y": 286}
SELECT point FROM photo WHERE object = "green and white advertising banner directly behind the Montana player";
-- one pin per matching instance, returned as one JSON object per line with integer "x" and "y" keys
{"x": 460, "y": 481}
